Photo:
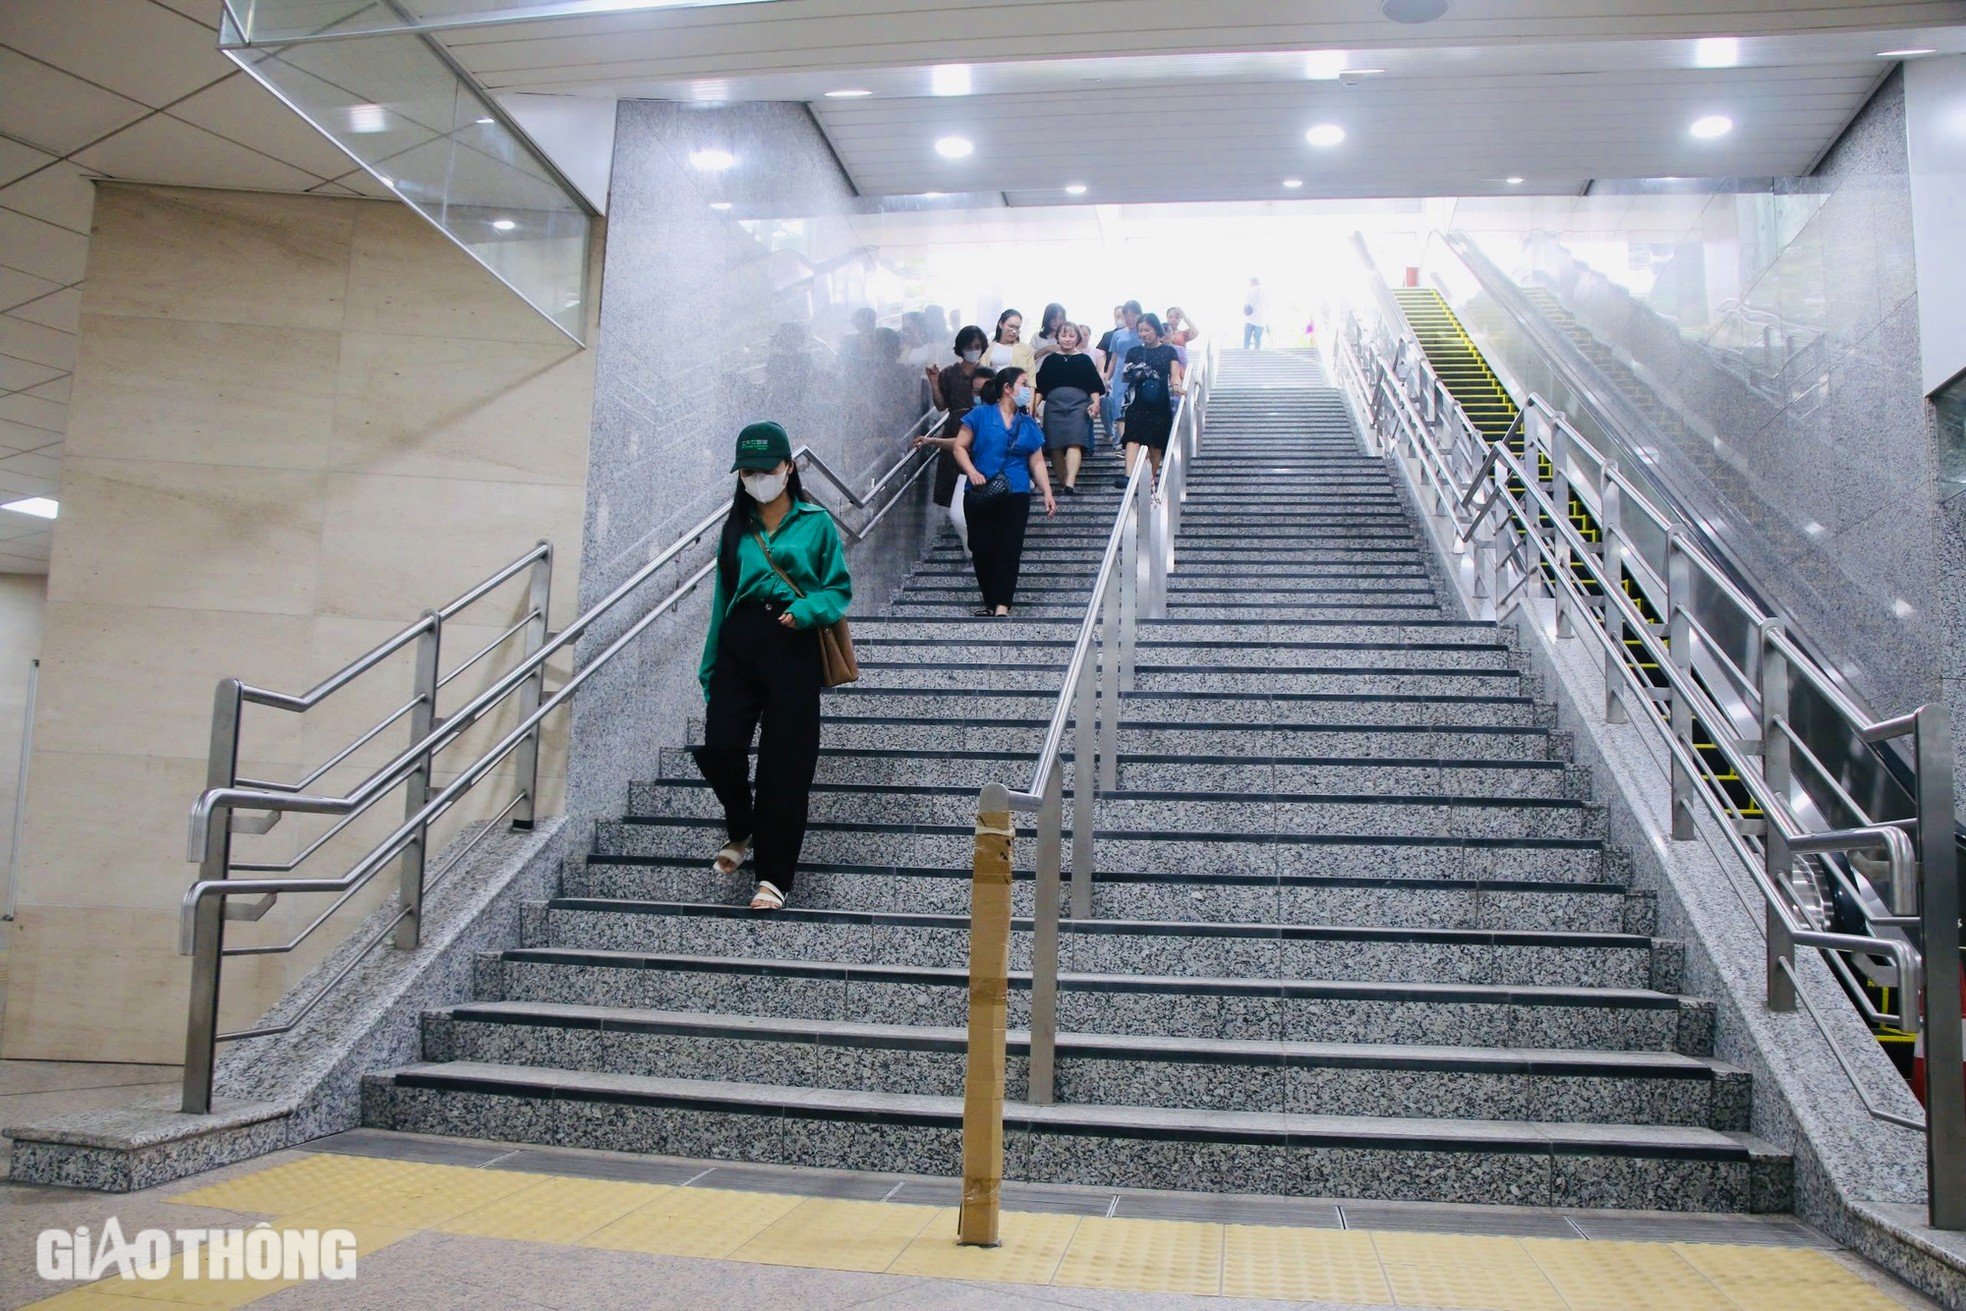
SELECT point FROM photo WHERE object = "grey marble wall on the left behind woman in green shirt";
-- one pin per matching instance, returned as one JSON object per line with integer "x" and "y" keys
{"x": 728, "y": 296}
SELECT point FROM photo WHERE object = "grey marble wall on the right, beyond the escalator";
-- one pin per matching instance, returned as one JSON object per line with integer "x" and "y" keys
{"x": 1770, "y": 339}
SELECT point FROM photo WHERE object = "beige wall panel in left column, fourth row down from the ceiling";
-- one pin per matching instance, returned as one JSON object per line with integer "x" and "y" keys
{"x": 141, "y": 679}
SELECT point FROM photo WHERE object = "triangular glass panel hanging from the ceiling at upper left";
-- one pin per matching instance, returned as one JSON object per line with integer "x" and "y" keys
{"x": 428, "y": 135}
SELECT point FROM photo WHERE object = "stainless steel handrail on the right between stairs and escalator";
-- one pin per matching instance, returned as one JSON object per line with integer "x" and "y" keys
{"x": 1481, "y": 498}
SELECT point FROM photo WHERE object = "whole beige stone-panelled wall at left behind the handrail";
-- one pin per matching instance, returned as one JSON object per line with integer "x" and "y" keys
{"x": 296, "y": 424}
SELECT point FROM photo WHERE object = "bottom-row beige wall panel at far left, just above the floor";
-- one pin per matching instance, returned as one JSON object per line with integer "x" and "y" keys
{"x": 107, "y": 984}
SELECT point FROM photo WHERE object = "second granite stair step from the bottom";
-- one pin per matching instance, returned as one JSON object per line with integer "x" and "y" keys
{"x": 1299, "y": 1078}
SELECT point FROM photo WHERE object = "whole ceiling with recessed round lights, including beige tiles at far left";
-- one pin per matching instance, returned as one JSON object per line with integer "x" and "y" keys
{"x": 1135, "y": 99}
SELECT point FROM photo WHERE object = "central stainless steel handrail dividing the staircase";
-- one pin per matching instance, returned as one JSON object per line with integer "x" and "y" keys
{"x": 1129, "y": 585}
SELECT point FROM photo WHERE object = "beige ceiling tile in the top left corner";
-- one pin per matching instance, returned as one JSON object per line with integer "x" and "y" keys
{"x": 137, "y": 48}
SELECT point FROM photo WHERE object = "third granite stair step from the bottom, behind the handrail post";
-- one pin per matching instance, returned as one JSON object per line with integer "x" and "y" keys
{"x": 1143, "y": 1005}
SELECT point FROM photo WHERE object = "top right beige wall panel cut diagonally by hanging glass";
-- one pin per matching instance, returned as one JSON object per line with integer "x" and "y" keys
{"x": 406, "y": 280}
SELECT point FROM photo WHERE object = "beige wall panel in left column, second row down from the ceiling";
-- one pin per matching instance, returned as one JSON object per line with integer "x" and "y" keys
{"x": 205, "y": 394}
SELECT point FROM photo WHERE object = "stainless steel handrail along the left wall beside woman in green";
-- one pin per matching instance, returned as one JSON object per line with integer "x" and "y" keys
{"x": 217, "y": 815}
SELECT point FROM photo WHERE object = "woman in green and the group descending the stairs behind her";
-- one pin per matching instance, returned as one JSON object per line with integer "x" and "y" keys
{"x": 1019, "y": 424}
